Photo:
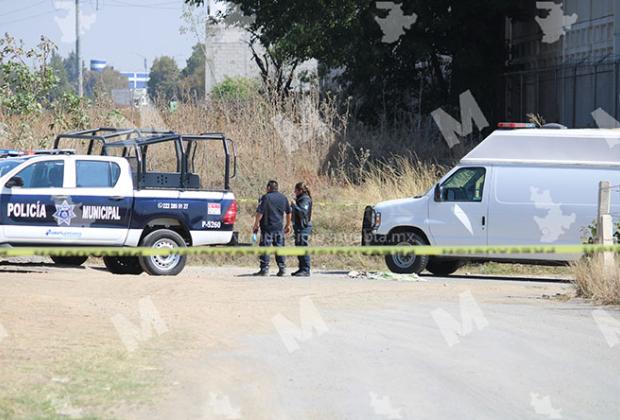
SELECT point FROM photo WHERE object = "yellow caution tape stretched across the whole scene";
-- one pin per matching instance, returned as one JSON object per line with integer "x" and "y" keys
{"x": 299, "y": 251}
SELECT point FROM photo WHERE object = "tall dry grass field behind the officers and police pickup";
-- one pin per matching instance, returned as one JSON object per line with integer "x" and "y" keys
{"x": 346, "y": 164}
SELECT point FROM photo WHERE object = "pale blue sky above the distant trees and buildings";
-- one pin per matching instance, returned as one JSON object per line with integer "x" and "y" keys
{"x": 121, "y": 32}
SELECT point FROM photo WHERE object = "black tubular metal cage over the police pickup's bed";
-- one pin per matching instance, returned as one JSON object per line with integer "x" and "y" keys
{"x": 133, "y": 144}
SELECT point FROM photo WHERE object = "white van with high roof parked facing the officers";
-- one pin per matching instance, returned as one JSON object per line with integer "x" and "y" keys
{"x": 517, "y": 187}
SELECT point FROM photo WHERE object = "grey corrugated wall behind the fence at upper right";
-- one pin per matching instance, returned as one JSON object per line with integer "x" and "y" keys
{"x": 567, "y": 80}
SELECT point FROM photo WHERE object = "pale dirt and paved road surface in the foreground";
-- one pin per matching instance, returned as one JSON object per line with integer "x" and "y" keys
{"x": 214, "y": 343}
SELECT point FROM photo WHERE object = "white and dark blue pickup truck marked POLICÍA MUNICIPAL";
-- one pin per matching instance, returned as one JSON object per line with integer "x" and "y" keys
{"x": 101, "y": 200}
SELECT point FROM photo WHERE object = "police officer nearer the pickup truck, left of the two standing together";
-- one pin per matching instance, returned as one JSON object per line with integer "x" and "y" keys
{"x": 272, "y": 209}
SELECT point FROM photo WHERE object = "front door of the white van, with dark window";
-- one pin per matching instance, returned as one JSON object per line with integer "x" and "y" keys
{"x": 457, "y": 214}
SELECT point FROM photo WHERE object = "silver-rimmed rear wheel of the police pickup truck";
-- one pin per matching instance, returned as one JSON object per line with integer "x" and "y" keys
{"x": 163, "y": 265}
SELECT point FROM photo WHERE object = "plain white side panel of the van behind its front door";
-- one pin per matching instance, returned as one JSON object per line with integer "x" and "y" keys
{"x": 546, "y": 205}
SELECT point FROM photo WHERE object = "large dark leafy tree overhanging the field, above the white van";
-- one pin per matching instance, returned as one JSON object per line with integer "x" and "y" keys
{"x": 383, "y": 76}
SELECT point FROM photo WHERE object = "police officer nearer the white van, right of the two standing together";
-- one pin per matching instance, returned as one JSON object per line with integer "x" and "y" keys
{"x": 302, "y": 225}
